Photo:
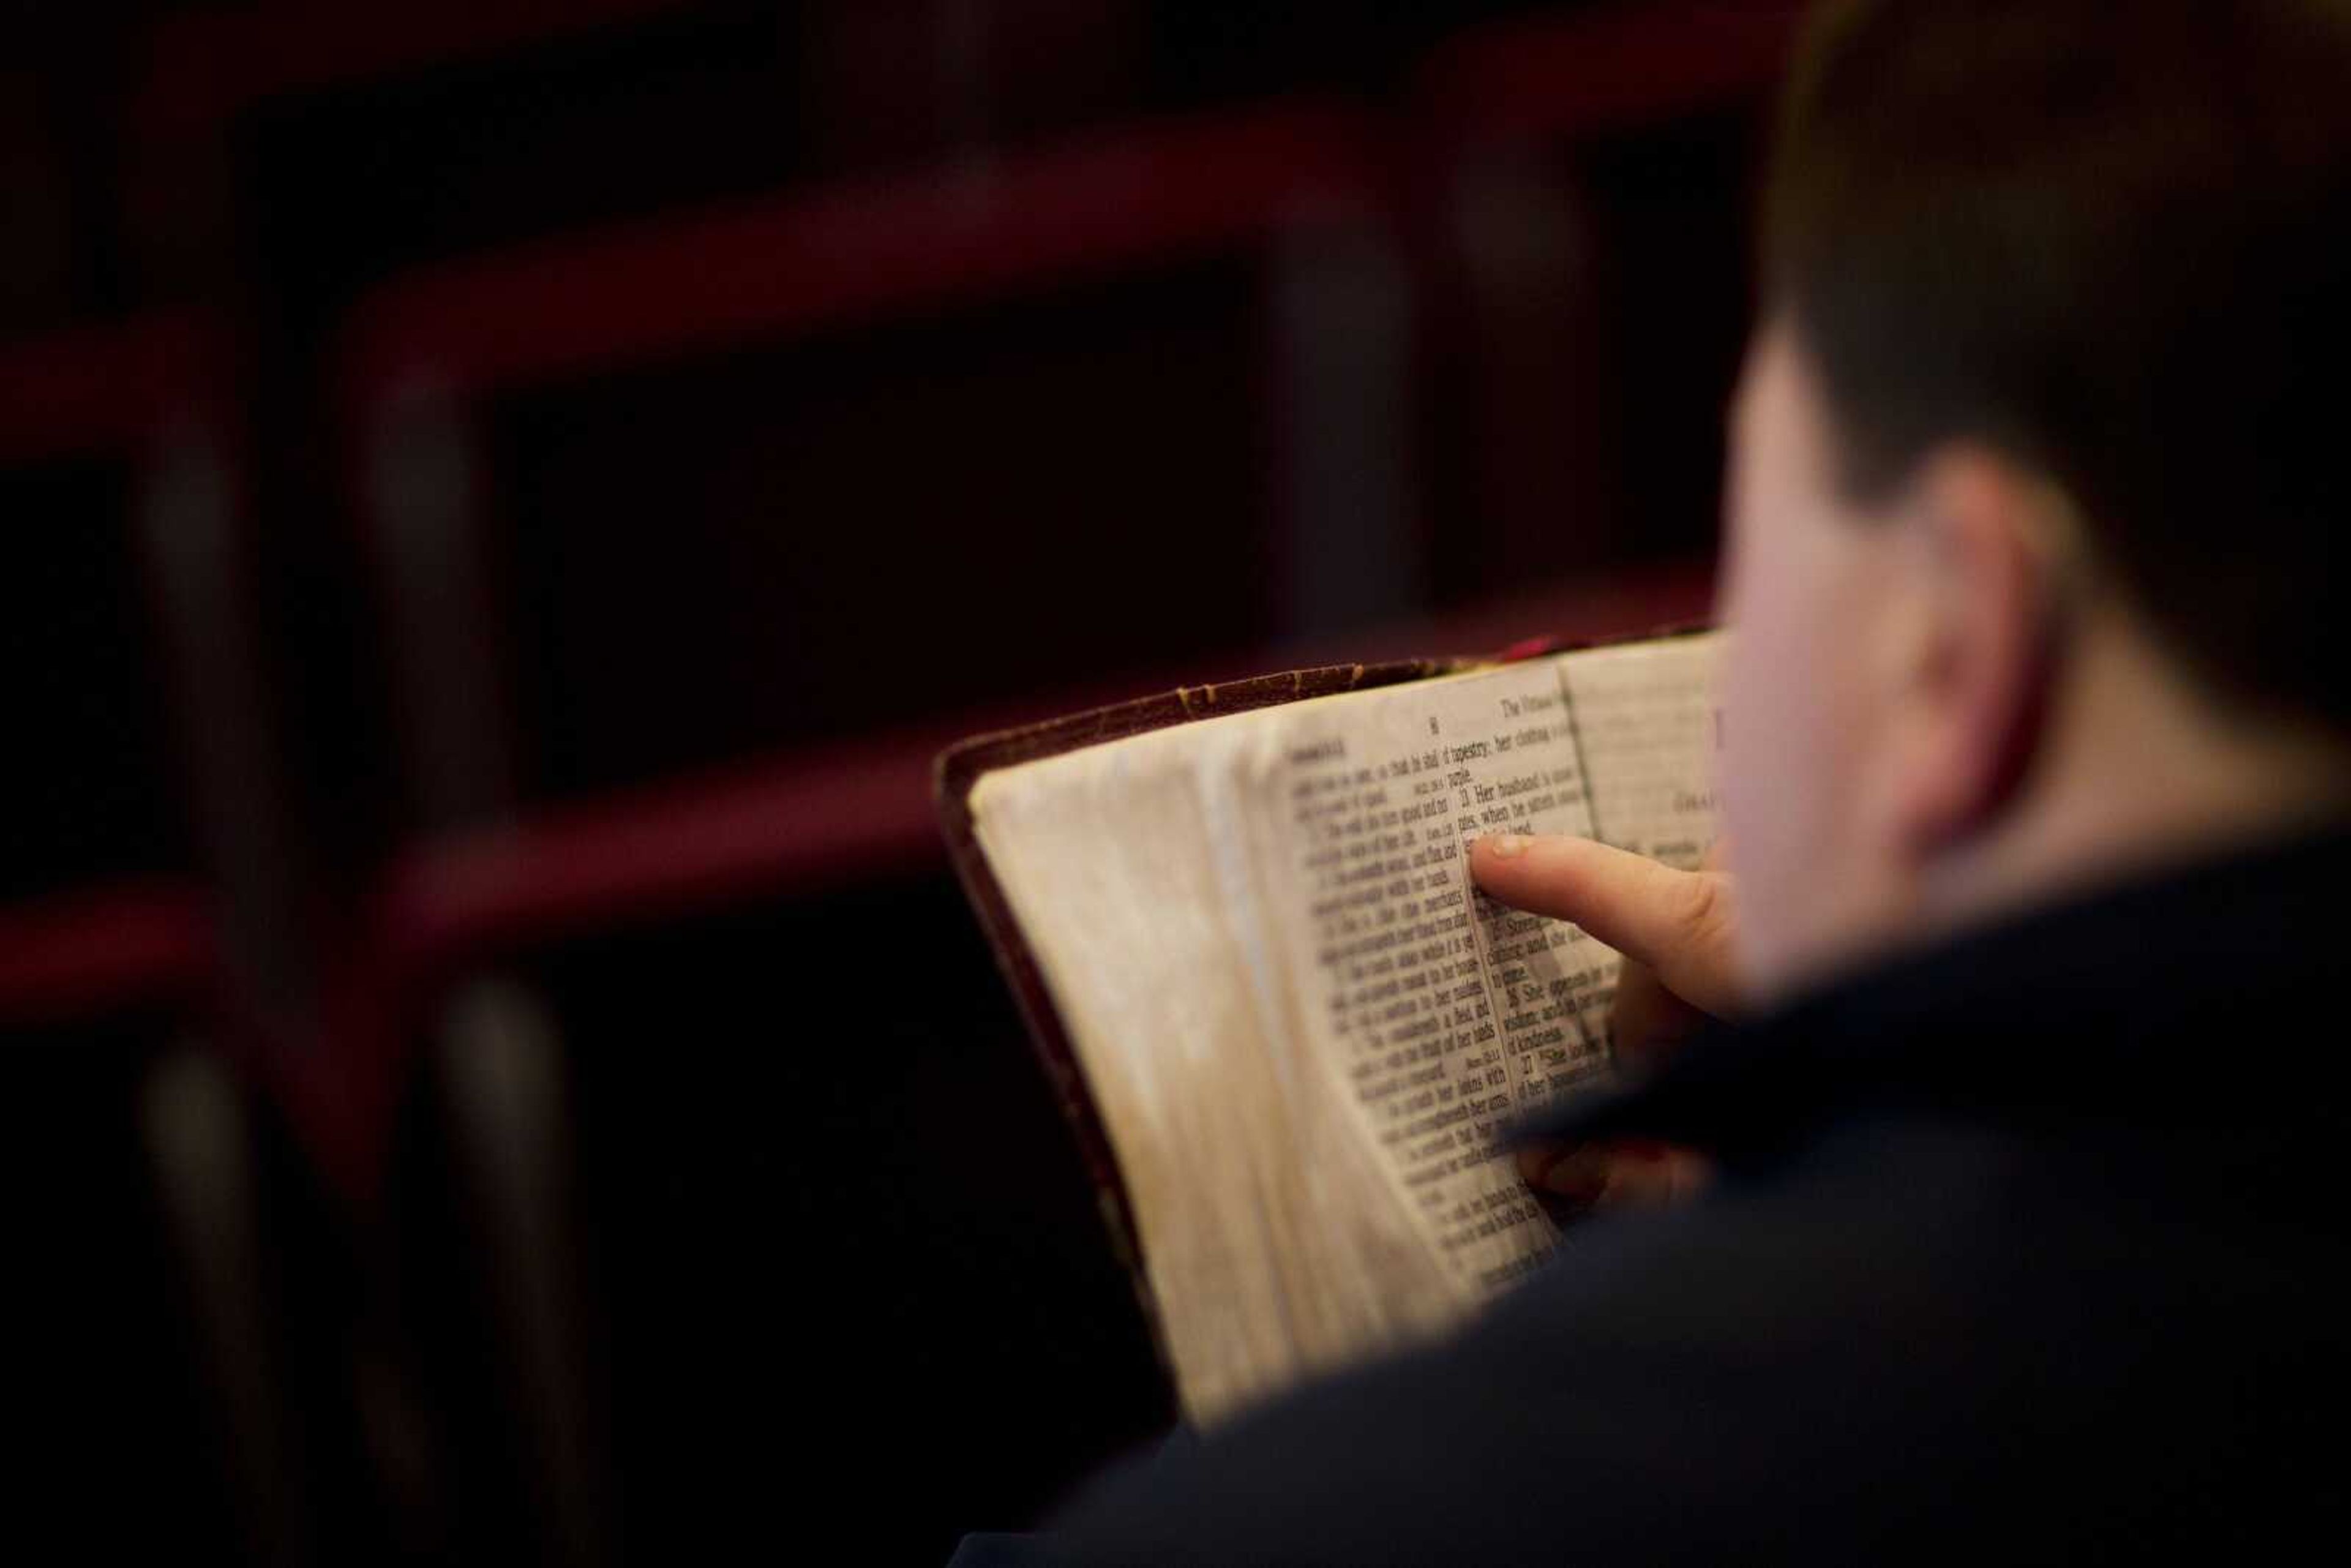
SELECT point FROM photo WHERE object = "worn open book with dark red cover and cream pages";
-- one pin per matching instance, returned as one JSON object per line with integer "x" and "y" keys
{"x": 1290, "y": 1028}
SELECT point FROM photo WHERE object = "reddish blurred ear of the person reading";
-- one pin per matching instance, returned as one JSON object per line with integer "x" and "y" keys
{"x": 1969, "y": 648}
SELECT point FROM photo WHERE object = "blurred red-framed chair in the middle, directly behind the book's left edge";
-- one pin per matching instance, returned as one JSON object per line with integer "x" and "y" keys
{"x": 824, "y": 481}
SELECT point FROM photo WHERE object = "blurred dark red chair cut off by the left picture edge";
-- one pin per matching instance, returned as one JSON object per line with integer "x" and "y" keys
{"x": 175, "y": 1273}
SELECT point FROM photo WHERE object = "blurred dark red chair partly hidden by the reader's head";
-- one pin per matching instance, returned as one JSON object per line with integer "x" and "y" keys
{"x": 1588, "y": 182}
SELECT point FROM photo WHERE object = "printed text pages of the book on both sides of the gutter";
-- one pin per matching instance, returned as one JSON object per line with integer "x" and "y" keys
{"x": 1447, "y": 1012}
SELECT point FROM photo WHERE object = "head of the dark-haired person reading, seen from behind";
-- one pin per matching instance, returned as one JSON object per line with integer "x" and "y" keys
{"x": 2039, "y": 457}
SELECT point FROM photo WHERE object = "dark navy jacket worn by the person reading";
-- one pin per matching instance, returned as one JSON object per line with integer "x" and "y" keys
{"x": 2023, "y": 1249}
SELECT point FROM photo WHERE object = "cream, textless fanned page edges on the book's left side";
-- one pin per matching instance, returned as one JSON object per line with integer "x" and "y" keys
{"x": 1141, "y": 876}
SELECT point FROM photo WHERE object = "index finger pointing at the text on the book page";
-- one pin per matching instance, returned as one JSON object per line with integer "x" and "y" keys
{"x": 1677, "y": 923}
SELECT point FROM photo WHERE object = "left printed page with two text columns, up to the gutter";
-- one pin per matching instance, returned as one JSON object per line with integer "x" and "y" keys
{"x": 1440, "y": 1012}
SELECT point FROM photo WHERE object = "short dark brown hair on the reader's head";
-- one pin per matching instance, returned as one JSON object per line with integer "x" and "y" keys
{"x": 2112, "y": 241}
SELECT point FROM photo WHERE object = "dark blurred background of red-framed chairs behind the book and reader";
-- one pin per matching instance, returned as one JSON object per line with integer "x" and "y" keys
{"x": 502, "y": 507}
